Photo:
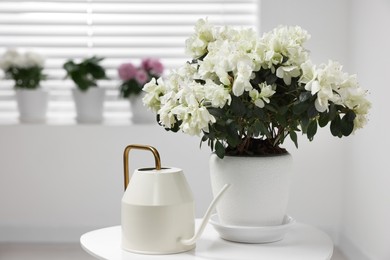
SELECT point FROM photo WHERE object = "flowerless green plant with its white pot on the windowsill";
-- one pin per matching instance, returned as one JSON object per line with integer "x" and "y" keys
{"x": 89, "y": 99}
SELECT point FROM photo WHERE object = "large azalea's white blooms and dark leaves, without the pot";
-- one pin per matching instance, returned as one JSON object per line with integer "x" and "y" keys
{"x": 244, "y": 94}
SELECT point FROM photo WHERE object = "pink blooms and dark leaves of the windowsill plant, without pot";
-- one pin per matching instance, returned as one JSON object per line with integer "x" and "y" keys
{"x": 133, "y": 78}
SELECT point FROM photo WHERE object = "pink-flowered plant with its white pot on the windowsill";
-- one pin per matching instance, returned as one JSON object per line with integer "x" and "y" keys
{"x": 133, "y": 79}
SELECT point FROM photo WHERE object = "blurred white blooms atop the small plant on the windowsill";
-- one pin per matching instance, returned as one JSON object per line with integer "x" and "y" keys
{"x": 13, "y": 59}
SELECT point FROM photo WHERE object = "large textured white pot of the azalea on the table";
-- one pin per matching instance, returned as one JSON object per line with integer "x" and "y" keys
{"x": 259, "y": 190}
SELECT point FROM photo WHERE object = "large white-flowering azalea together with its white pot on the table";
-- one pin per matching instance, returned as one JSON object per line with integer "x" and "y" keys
{"x": 244, "y": 96}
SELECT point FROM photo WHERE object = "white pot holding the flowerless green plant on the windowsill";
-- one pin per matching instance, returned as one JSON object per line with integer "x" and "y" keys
{"x": 89, "y": 104}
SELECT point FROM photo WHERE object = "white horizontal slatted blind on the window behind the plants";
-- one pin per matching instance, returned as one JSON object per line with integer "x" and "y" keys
{"x": 118, "y": 30}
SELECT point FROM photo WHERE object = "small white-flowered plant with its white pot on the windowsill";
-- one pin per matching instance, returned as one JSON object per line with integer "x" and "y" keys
{"x": 26, "y": 69}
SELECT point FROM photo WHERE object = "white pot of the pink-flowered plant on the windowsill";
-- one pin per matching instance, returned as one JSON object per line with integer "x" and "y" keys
{"x": 140, "y": 113}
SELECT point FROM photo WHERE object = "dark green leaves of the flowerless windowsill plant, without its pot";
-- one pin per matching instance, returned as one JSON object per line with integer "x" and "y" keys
{"x": 85, "y": 73}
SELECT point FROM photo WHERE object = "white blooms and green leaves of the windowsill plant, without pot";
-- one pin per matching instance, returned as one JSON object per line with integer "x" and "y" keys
{"x": 26, "y": 69}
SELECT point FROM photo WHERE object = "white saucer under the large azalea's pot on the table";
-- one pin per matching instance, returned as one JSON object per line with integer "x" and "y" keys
{"x": 247, "y": 234}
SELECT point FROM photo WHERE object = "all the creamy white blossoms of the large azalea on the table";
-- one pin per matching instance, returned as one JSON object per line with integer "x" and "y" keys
{"x": 226, "y": 62}
